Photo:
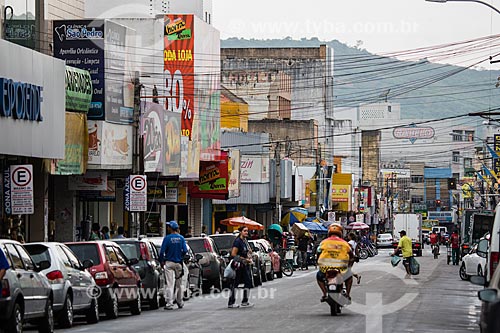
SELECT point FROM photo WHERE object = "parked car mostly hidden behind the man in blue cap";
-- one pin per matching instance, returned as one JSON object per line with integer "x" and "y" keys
{"x": 193, "y": 281}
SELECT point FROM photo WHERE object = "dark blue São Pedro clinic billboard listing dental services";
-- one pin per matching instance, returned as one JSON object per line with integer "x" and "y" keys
{"x": 99, "y": 46}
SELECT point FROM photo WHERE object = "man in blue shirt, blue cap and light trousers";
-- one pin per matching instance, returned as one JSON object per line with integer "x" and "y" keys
{"x": 172, "y": 253}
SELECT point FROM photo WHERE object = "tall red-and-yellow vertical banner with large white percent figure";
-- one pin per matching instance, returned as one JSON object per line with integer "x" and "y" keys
{"x": 178, "y": 57}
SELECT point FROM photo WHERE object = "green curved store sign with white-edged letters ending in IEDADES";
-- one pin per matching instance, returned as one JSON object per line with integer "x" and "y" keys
{"x": 78, "y": 84}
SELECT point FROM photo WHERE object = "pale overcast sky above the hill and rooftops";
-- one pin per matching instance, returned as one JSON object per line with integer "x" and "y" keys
{"x": 382, "y": 25}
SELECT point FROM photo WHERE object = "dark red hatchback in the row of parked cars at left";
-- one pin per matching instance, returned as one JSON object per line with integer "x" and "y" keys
{"x": 118, "y": 282}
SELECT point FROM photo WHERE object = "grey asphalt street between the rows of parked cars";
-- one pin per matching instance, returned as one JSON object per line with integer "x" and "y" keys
{"x": 434, "y": 301}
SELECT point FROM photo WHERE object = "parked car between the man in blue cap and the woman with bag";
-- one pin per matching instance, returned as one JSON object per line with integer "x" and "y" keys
{"x": 212, "y": 263}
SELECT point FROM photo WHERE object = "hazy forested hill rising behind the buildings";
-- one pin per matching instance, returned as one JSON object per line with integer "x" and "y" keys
{"x": 425, "y": 90}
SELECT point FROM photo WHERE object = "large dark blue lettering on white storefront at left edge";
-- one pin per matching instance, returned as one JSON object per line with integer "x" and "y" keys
{"x": 20, "y": 100}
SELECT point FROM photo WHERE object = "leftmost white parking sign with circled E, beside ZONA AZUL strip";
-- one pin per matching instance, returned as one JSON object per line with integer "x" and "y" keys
{"x": 21, "y": 191}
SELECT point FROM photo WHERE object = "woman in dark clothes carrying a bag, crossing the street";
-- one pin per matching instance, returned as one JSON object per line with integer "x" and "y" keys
{"x": 241, "y": 253}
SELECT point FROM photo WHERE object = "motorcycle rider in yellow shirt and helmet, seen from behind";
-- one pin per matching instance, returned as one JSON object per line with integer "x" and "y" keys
{"x": 334, "y": 252}
